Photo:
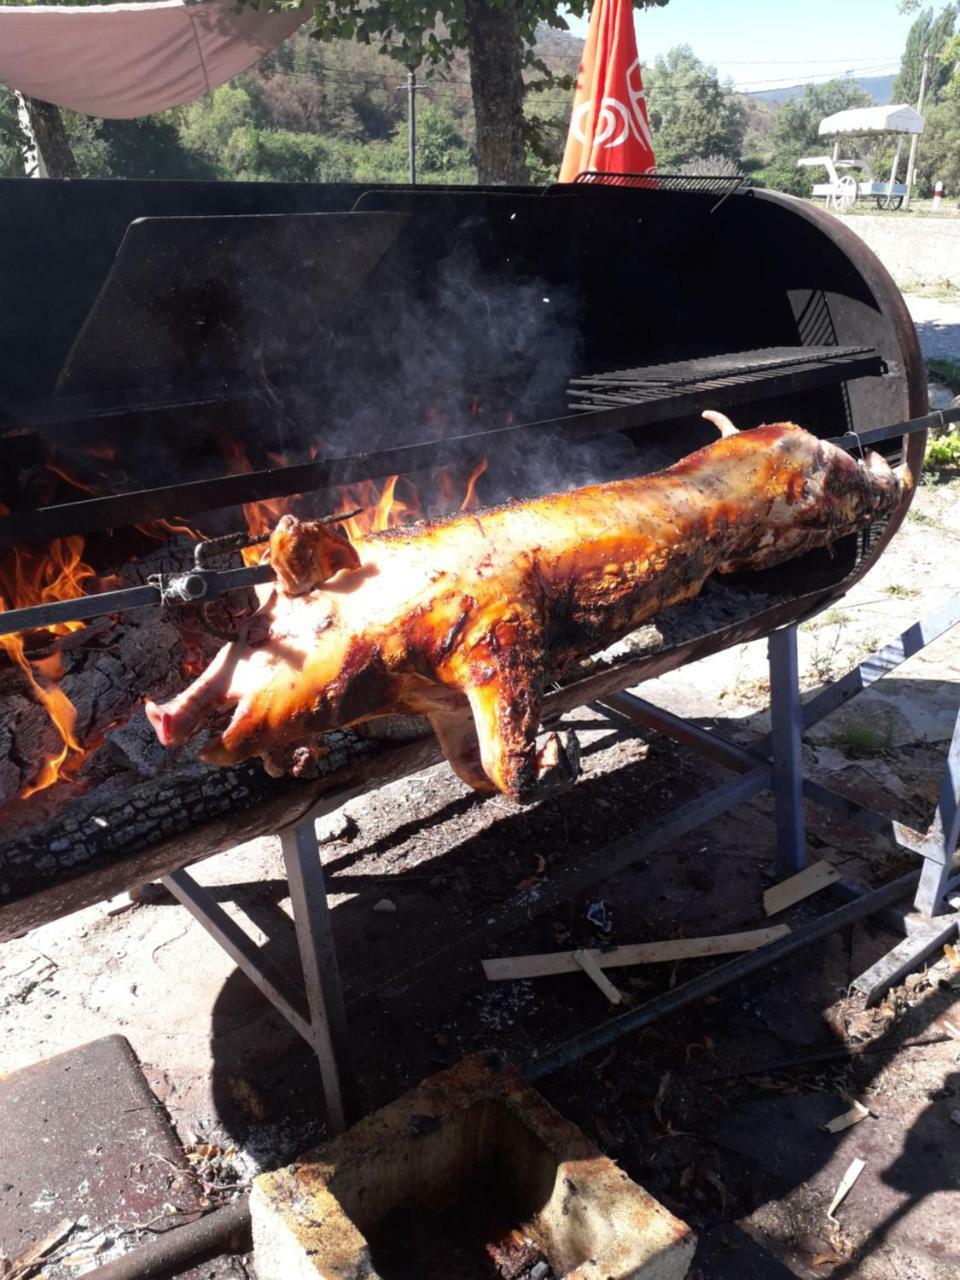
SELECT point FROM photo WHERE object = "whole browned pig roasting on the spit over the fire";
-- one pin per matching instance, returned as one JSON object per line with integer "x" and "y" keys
{"x": 467, "y": 620}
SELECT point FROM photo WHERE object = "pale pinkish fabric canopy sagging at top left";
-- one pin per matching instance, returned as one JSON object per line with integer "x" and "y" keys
{"x": 124, "y": 61}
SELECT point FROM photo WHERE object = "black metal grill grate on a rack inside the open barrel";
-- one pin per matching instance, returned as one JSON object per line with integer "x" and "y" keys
{"x": 775, "y": 369}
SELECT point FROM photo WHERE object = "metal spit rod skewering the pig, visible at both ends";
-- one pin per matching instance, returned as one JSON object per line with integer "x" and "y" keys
{"x": 203, "y": 586}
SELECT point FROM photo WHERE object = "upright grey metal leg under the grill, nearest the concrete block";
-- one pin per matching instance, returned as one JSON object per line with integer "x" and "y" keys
{"x": 318, "y": 954}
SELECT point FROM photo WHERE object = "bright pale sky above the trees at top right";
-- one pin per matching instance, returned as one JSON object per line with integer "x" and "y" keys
{"x": 765, "y": 44}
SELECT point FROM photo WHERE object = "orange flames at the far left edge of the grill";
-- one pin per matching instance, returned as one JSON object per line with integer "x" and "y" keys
{"x": 30, "y": 578}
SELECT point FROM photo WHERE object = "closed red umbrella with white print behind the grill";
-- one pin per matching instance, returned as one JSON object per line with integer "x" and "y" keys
{"x": 610, "y": 131}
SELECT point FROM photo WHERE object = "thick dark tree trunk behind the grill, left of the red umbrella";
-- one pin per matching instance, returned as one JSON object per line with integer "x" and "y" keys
{"x": 496, "y": 53}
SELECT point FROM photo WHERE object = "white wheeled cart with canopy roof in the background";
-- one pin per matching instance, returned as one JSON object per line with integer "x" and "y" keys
{"x": 844, "y": 190}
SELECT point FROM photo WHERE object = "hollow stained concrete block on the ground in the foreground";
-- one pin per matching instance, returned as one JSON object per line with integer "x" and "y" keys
{"x": 470, "y": 1163}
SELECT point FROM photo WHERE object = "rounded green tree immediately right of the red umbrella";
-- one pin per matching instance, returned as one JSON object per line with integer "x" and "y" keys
{"x": 692, "y": 115}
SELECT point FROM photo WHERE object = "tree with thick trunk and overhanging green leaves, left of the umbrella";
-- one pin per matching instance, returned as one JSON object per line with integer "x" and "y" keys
{"x": 499, "y": 36}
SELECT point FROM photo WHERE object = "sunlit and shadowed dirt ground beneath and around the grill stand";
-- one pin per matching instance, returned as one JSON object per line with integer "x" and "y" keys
{"x": 701, "y": 1108}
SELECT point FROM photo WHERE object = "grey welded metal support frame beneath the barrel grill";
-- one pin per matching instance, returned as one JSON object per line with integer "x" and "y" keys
{"x": 318, "y": 1011}
